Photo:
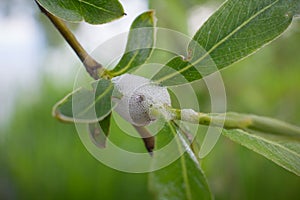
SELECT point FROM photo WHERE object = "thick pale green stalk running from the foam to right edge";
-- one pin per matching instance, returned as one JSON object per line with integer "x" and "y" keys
{"x": 233, "y": 120}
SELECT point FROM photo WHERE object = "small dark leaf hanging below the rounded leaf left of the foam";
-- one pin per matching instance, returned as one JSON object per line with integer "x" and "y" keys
{"x": 99, "y": 131}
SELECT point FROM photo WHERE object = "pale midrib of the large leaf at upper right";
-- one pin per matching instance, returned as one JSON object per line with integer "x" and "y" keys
{"x": 219, "y": 43}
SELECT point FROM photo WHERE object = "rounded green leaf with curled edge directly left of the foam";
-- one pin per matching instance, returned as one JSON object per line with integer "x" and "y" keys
{"x": 86, "y": 105}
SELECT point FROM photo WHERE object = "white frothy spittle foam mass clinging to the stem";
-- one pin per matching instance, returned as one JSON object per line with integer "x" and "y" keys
{"x": 139, "y": 95}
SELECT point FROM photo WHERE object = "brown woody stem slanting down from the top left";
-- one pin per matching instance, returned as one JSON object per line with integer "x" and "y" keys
{"x": 95, "y": 69}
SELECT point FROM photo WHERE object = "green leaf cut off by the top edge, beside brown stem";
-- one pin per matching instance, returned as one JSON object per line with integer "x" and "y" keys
{"x": 91, "y": 11}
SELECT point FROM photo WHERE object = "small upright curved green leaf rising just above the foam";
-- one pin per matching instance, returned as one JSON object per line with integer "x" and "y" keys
{"x": 139, "y": 44}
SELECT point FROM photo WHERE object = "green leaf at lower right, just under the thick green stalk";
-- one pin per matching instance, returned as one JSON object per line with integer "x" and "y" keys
{"x": 283, "y": 150}
